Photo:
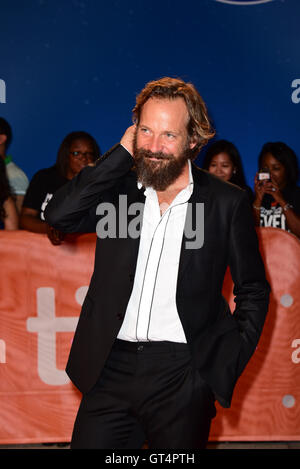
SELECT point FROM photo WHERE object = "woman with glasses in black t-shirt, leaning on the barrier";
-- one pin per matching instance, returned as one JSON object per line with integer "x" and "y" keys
{"x": 77, "y": 150}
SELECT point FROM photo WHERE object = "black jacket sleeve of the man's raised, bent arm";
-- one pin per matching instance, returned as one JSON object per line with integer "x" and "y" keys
{"x": 72, "y": 209}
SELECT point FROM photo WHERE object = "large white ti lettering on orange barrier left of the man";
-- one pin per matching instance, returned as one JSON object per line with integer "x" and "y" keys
{"x": 47, "y": 325}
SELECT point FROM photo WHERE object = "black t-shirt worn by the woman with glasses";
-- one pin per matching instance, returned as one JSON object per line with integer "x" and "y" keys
{"x": 41, "y": 189}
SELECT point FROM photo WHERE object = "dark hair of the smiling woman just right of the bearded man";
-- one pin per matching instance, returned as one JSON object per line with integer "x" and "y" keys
{"x": 224, "y": 146}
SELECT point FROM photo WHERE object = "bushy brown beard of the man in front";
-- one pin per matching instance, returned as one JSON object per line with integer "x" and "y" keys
{"x": 162, "y": 172}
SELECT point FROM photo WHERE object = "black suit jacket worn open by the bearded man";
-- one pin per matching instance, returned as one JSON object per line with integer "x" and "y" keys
{"x": 221, "y": 343}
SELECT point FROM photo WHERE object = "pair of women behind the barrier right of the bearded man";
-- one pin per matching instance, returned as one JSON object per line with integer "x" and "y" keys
{"x": 275, "y": 198}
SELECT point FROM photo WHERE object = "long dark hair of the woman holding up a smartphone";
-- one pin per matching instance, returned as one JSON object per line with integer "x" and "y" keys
{"x": 286, "y": 156}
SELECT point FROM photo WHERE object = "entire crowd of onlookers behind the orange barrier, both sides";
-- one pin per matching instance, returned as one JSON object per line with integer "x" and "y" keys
{"x": 275, "y": 197}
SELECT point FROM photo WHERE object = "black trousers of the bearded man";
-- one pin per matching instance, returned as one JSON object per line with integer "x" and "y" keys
{"x": 147, "y": 391}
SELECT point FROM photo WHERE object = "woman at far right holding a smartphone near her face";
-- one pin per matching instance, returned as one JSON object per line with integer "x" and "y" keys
{"x": 277, "y": 196}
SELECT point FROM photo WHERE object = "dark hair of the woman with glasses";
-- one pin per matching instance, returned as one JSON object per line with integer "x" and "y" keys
{"x": 62, "y": 160}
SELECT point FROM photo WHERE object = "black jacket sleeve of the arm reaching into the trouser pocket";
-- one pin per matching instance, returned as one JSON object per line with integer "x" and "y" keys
{"x": 251, "y": 289}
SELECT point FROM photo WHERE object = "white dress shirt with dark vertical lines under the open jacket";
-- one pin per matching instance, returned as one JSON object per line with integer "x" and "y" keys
{"x": 151, "y": 313}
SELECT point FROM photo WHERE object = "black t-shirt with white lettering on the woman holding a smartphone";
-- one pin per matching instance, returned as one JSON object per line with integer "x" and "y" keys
{"x": 272, "y": 214}
